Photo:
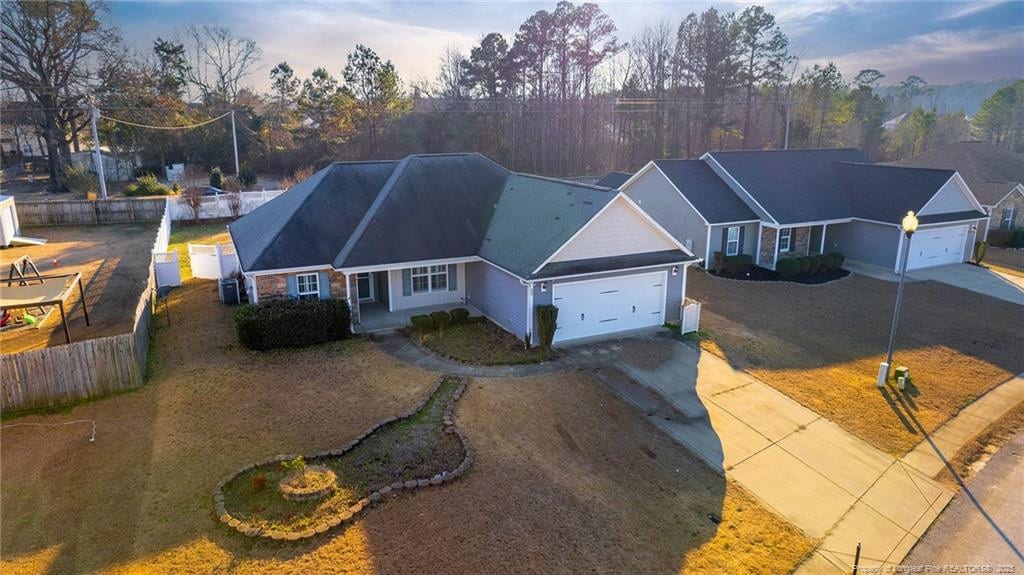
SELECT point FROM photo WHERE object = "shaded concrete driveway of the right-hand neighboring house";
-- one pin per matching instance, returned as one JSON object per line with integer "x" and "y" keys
{"x": 976, "y": 279}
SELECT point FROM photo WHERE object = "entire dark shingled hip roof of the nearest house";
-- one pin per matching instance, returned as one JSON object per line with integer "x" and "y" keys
{"x": 422, "y": 208}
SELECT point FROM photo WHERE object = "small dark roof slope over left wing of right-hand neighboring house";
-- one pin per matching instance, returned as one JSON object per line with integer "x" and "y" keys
{"x": 708, "y": 193}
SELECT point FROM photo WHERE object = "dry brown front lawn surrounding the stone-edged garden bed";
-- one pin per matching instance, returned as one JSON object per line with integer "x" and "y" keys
{"x": 568, "y": 478}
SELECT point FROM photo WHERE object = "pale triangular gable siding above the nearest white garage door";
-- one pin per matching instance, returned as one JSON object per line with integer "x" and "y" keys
{"x": 619, "y": 231}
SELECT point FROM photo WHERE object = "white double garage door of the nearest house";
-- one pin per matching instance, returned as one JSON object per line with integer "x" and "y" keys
{"x": 604, "y": 306}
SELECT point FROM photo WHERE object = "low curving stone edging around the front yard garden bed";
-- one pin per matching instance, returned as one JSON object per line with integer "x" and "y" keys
{"x": 354, "y": 511}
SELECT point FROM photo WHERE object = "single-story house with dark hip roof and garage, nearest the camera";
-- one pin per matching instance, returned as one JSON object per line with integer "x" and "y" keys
{"x": 403, "y": 238}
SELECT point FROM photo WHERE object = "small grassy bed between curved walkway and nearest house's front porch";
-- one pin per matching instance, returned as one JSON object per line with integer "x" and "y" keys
{"x": 482, "y": 343}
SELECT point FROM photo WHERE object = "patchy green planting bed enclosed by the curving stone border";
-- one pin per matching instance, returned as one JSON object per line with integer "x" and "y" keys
{"x": 414, "y": 448}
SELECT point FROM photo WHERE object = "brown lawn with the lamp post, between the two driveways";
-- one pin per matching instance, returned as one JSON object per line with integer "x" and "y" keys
{"x": 822, "y": 346}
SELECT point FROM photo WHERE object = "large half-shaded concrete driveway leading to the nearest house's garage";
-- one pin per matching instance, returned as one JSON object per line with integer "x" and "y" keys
{"x": 829, "y": 483}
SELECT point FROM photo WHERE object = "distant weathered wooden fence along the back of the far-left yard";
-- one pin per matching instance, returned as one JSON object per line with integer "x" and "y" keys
{"x": 72, "y": 212}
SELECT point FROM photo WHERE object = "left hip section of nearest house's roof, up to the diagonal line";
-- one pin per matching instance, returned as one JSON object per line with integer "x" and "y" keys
{"x": 309, "y": 225}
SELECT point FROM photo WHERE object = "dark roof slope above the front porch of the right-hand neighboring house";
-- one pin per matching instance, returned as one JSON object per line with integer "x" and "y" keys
{"x": 794, "y": 186}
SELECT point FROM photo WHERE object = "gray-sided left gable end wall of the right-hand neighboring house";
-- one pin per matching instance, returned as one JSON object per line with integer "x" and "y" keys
{"x": 656, "y": 196}
